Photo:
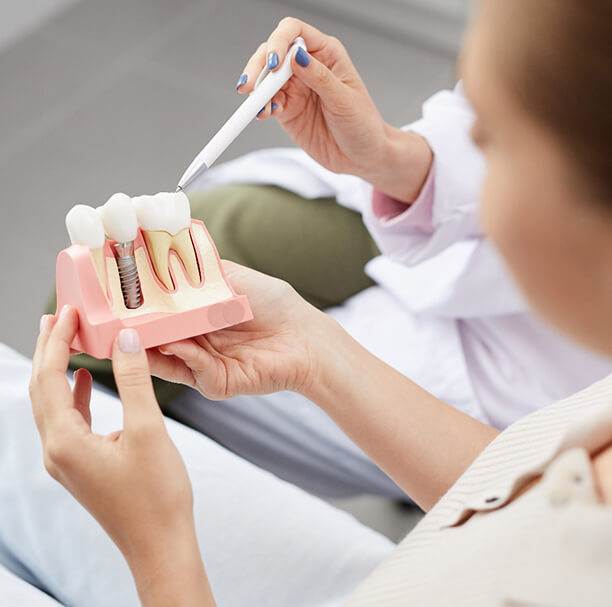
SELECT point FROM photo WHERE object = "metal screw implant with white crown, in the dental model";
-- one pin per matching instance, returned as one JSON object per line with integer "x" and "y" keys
{"x": 121, "y": 224}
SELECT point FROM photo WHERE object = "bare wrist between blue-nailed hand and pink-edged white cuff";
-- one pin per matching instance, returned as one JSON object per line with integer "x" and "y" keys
{"x": 404, "y": 165}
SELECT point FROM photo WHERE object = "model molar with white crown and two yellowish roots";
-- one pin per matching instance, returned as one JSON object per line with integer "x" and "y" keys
{"x": 165, "y": 219}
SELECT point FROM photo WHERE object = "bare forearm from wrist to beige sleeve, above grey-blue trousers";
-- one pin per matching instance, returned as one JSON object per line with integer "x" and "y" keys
{"x": 422, "y": 443}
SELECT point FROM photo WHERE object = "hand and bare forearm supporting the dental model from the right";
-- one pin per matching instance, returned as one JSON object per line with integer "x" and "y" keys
{"x": 421, "y": 442}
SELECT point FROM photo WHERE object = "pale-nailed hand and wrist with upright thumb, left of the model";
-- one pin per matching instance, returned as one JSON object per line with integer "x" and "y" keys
{"x": 132, "y": 481}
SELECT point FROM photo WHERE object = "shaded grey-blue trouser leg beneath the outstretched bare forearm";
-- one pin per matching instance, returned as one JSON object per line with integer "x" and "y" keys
{"x": 290, "y": 436}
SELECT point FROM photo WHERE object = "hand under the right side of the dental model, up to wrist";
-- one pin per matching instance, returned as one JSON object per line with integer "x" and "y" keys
{"x": 277, "y": 350}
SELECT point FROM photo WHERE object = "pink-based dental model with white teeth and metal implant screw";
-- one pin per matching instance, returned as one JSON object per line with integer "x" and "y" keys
{"x": 143, "y": 263}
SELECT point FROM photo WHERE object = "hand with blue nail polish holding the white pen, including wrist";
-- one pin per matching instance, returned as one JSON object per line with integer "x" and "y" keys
{"x": 327, "y": 111}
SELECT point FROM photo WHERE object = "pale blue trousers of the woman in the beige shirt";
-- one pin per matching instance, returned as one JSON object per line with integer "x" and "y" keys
{"x": 264, "y": 541}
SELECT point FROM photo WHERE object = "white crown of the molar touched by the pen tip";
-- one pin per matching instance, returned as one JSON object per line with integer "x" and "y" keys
{"x": 164, "y": 212}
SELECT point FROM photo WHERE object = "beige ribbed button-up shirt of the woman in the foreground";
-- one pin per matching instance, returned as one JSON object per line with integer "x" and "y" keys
{"x": 550, "y": 547}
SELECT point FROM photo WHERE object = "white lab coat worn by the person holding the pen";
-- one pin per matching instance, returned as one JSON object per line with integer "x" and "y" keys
{"x": 446, "y": 311}
